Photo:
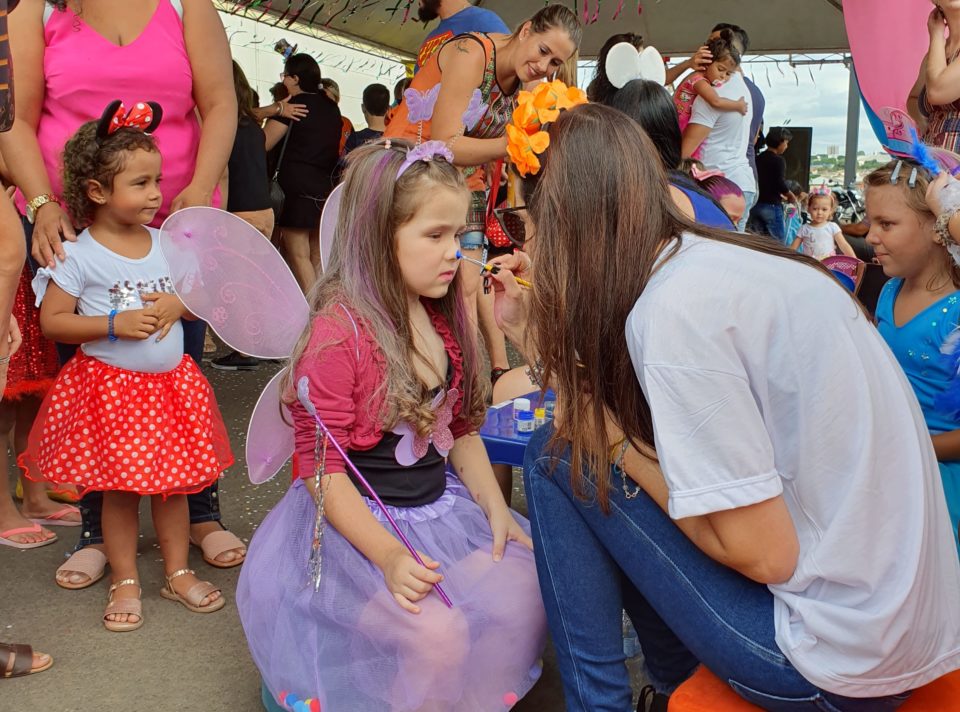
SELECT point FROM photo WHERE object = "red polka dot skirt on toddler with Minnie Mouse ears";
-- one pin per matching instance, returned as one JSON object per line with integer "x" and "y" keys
{"x": 105, "y": 428}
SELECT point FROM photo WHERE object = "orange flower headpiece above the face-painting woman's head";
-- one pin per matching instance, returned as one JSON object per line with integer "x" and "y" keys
{"x": 526, "y": 134}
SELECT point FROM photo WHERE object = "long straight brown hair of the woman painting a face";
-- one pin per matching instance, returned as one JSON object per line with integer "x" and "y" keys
{"x": 603, "y": 195}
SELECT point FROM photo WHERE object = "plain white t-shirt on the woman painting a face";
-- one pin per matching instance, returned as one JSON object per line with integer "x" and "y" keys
{"x": 764, "y": 378}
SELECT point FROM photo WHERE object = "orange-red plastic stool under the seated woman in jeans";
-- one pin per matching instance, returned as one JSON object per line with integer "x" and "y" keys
{"x": 705, "y": 692}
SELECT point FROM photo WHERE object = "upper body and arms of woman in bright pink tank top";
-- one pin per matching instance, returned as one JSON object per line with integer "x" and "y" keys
{"x": 73, "y": 57}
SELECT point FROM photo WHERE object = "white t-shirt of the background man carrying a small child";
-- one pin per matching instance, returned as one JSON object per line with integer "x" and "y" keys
{"x": 725, "y": 149}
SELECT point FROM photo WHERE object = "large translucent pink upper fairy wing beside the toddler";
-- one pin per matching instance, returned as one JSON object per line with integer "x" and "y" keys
{"x": 229, "y": 275}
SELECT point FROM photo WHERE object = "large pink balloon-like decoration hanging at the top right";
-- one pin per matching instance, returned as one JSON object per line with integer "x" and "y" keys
{"x": 888, "y": 40}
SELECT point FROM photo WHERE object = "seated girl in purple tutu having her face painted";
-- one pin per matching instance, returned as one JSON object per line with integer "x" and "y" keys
{"x": 390, "y": 366}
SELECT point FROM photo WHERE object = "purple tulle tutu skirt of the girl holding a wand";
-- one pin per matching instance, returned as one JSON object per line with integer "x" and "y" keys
{"x": 354, "y": 649}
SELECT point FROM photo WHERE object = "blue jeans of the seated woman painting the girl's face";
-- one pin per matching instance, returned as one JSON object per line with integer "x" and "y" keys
{"x": 686, "y": 607}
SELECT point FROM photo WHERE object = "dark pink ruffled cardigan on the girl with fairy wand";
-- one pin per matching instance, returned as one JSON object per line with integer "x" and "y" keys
{"x": 345, "y": 366}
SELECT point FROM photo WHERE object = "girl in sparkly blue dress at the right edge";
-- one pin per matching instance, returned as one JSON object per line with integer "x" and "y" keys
{"x": 919, "y": 308}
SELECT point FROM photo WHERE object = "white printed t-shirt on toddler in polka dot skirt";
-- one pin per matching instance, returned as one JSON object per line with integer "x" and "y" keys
{"x": 102, "y": 280}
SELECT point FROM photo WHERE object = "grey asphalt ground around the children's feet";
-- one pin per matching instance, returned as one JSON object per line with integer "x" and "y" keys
{"x": 178, "y": 661}
